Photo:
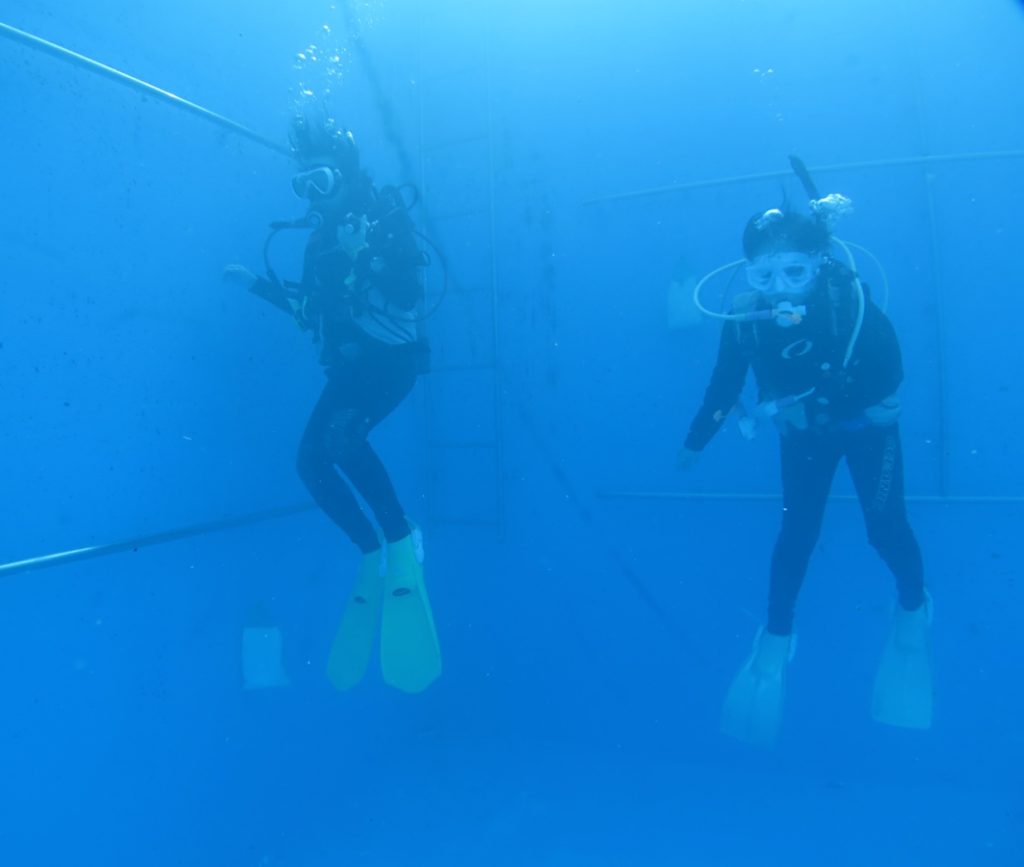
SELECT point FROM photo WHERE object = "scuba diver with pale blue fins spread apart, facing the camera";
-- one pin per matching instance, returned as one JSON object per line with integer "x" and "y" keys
{"x": 828, "y": 367}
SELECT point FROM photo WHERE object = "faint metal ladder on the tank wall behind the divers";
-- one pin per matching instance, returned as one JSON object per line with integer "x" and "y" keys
{"x": 464, "y": 455}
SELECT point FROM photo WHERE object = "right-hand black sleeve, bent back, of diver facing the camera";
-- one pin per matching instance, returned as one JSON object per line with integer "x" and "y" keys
{"x": 877, "y": 369}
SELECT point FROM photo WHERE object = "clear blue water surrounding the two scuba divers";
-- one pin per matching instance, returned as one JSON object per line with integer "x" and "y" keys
{"x": 590, "y": 617}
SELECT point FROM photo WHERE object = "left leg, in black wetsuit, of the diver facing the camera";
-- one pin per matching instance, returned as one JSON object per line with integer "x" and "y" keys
{"x": 809, "y": 462}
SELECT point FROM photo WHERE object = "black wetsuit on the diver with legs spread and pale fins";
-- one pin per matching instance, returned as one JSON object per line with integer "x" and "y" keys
{"x": 822, "y": 427}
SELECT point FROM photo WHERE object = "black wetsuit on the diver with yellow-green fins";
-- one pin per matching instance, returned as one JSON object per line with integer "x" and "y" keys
{"x": 367, "y": 378}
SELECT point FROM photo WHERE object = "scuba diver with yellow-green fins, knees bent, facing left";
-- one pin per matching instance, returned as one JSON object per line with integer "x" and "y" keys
{"x": 359, "y": 295}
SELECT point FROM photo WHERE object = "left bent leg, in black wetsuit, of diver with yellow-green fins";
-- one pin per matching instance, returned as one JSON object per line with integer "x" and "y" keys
{"x": 316, "y": 468}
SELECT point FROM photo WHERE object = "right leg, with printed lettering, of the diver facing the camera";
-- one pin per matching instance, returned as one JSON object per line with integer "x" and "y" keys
{"x": 875, "y": 457}
